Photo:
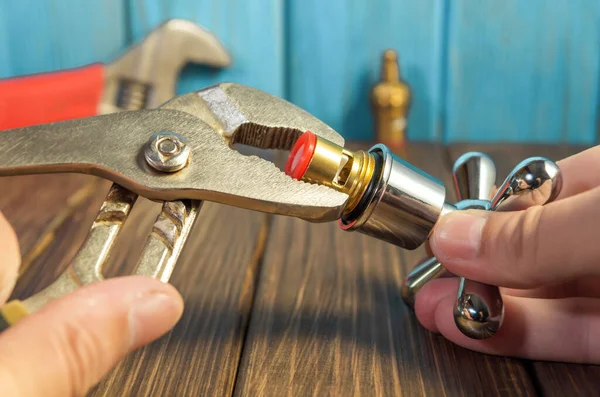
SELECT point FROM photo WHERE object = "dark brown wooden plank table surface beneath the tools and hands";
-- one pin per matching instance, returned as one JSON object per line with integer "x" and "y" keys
{"x": 277, "y": 306}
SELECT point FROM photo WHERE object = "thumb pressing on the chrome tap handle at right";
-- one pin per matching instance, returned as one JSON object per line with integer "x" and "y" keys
{"x": 523, "y": 249}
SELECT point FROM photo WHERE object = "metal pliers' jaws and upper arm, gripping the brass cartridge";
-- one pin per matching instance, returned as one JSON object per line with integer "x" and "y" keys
{"x": 211, "y": 120}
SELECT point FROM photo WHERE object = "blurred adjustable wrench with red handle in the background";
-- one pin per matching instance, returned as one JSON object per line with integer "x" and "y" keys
{"x": 145, "y": 76}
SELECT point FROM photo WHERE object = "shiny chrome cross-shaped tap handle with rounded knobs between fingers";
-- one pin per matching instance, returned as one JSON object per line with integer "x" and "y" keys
{"x": 479, "y": 310}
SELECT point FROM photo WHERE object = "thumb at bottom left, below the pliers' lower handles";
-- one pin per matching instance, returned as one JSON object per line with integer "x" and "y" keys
{"x": 69, "y": 345}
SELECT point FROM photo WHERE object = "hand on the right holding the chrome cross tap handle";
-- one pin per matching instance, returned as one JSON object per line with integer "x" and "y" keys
{"x": 546, "y": 261}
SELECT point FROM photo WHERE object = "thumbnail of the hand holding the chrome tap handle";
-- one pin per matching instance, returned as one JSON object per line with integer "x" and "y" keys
{"x": 458, "y": 235}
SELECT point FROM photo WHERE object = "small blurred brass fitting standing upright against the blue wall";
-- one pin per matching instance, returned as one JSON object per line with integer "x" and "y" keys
{"x": 391, "y": 99}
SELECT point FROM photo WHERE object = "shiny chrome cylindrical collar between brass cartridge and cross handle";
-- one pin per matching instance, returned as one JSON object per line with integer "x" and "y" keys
{"x": 405, "y": 205}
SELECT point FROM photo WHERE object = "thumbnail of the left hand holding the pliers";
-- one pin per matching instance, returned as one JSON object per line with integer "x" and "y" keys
{"x": 153, "y": 315}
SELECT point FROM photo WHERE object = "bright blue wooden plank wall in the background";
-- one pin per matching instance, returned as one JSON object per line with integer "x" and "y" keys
{"x": 480, "y": 70}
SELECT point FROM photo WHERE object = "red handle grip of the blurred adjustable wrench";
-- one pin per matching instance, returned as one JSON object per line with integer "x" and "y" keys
{"x": 48, "y": 97}
